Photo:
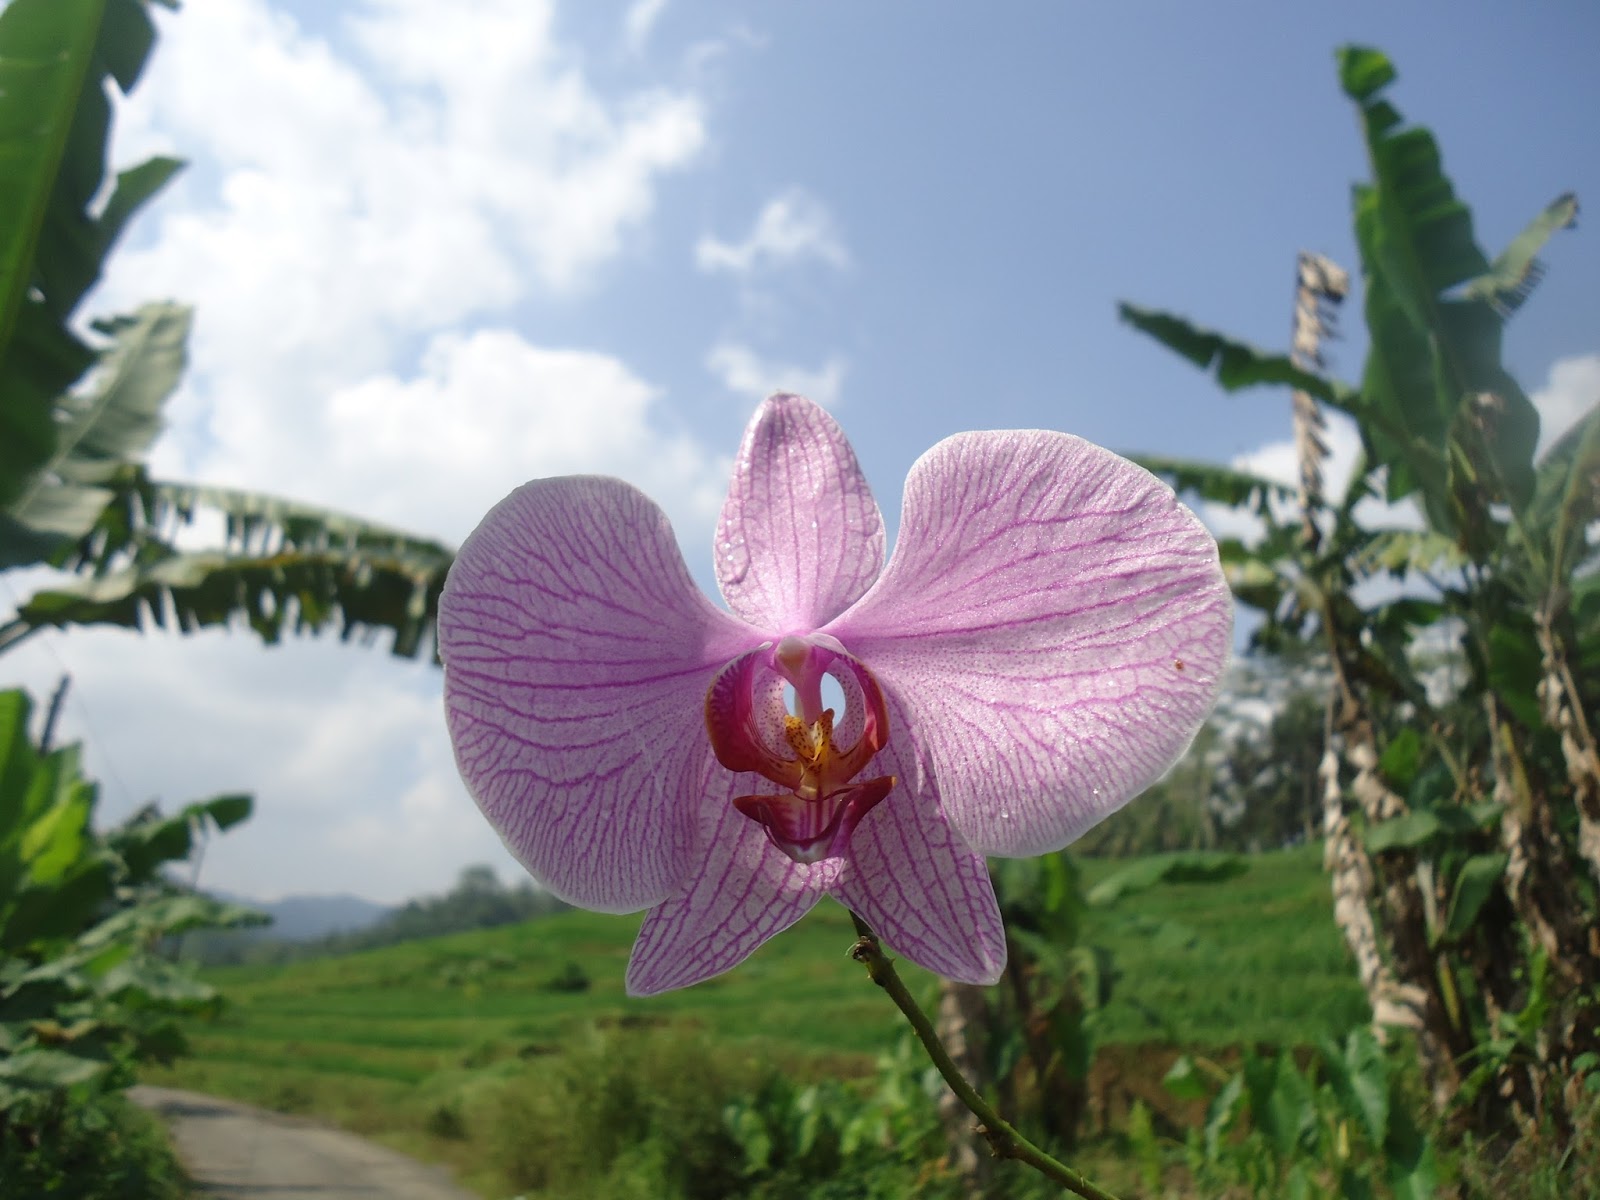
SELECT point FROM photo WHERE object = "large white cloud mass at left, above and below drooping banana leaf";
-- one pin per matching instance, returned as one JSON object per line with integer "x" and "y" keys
{"x": 359, "y": 222}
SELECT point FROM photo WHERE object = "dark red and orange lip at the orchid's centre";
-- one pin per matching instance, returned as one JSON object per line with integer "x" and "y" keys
{"x": 753, "y": 730}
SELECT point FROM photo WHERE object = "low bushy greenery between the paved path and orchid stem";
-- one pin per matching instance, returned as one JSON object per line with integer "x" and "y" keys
{"x": 652, "y": 1114}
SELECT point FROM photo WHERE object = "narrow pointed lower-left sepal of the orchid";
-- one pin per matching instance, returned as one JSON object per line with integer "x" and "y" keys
{"x": 745, "y": 890}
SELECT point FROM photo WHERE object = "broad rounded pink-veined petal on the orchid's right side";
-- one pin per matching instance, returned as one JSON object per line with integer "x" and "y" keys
{"x": 1055, "y": 626}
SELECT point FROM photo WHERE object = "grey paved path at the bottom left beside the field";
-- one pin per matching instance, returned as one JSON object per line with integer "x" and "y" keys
{"x": 236, "y": 1153}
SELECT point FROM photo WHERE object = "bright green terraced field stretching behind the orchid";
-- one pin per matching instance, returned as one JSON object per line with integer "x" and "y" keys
{"x": 388, "y": 1041}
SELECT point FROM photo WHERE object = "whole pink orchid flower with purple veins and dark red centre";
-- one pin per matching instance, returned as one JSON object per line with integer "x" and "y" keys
{"x": 1044, "y": 644}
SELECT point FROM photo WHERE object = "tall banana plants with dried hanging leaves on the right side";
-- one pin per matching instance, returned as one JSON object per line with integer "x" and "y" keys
{"x": 1476, "y": 828}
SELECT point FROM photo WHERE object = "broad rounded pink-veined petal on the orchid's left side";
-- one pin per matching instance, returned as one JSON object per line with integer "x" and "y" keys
{"x": 577, "y": 657}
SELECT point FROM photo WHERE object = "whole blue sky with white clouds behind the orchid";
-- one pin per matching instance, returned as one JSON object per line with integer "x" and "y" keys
{"x": 438, "y": 250}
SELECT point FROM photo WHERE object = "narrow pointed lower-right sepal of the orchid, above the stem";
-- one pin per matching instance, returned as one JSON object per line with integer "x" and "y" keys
{"x": 913, "y": 879}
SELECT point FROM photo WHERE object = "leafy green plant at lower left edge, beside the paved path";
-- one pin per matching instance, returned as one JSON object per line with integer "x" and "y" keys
{"x": 86, "y": 991}
